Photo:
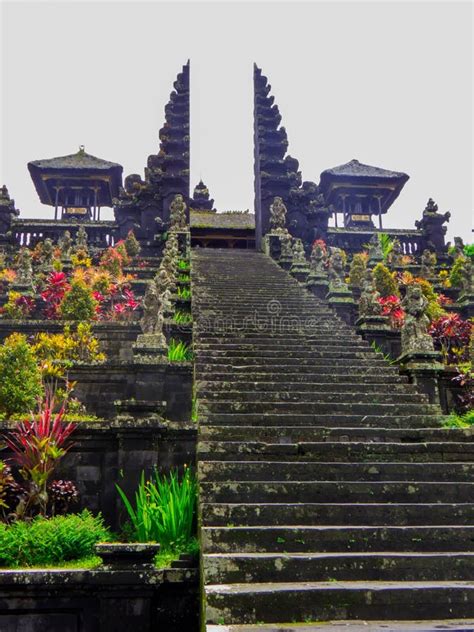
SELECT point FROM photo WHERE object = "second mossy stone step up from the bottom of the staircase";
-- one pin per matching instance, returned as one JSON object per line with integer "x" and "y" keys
{"x": 230, "y": 568}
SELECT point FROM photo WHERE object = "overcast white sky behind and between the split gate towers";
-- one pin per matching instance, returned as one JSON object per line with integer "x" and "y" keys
{"x": 387, "y": 83}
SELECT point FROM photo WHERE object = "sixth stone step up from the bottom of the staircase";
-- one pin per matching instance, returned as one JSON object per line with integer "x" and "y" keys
{"x": 212, "y": 471}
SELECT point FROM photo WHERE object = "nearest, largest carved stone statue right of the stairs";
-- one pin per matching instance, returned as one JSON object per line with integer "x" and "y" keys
{"x": 415, "y": 336}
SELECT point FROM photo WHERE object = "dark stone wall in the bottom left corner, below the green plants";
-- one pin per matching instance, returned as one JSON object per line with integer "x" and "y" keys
{"x": 99, "y": 601}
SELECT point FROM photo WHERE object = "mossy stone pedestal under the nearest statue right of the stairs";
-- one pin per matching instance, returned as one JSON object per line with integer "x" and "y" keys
{"x": 423, "y": 369}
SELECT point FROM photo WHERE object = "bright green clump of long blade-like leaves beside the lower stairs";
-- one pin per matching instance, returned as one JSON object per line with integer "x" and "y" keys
{"x": 164, "y": 510}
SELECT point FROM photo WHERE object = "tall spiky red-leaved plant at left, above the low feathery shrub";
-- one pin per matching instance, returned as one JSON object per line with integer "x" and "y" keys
{"x": 38, "y": 445}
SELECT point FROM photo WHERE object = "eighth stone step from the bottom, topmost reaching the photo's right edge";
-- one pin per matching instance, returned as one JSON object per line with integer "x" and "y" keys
{"x": 311, "y": 434}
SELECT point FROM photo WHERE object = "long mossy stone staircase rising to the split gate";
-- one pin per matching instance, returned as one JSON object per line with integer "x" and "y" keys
{"x": 328, "y": 490}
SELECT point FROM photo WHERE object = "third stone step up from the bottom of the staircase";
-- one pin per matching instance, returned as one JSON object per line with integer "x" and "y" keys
{"x": 286, "y": 539}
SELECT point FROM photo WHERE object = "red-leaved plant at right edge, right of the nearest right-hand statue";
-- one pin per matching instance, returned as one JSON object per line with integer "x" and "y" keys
{"x": 451, "y": 335}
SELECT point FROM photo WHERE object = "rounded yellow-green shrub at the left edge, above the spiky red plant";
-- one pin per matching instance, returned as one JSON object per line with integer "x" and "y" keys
{"x": 20, "y": 376}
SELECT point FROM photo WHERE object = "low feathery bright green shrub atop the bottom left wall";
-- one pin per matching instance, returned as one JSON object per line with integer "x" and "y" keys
{"x": 51, "y": 540}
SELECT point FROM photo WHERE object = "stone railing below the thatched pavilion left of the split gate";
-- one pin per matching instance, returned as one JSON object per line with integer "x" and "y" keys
{"x": 27, "y": 232}
